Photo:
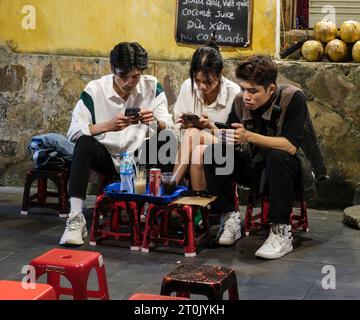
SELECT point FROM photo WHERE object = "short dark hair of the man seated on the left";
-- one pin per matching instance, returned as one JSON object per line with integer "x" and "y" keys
{"x": 127, "y": 56}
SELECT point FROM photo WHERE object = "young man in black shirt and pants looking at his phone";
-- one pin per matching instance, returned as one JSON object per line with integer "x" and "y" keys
{"x": 268, "y": 121}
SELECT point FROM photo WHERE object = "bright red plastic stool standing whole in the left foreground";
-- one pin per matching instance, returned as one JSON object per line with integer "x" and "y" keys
{"x": 75, "y": 265}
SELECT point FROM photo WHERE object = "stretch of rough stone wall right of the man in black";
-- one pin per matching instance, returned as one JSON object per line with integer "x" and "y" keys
{"x": 333, "y": 92}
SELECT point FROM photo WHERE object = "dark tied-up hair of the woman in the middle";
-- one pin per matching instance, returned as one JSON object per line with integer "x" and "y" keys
{"x": 208, "y": 60}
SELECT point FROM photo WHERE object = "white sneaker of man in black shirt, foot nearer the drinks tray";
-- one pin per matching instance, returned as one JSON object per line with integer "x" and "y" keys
{"x": 231, "y": 230}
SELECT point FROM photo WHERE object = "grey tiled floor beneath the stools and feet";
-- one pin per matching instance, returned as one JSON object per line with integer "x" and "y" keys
{"x": 295, "y": 276}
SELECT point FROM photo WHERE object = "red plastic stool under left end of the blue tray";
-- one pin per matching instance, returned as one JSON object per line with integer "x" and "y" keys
{"x": 111, "y": 228}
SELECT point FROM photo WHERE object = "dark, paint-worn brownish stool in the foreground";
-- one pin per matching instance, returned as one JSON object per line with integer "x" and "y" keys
{"x": 210, "y": 281}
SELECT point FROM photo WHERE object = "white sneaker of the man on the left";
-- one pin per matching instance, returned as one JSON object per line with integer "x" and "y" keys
{"x": 75, "y": 230}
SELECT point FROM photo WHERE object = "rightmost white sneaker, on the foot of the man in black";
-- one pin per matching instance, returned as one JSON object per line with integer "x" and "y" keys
{"x": 277, "y": 244}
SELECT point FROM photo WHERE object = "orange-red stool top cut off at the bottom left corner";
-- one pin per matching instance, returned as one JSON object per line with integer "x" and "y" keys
{"x": 13, "y": 290}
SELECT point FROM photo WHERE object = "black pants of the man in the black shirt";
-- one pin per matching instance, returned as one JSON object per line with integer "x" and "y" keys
{"x": 281, "y": 172}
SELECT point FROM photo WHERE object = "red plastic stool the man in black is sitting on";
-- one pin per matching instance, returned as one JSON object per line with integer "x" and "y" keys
{"x": 260, "y": 220}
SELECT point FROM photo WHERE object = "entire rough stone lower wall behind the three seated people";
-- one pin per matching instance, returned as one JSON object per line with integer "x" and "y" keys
{"x": 38, "y": 93}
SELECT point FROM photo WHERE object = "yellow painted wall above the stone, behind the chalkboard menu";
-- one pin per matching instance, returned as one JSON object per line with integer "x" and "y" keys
{"x": 93, "y": 27}
